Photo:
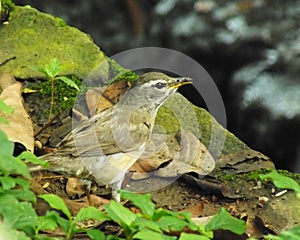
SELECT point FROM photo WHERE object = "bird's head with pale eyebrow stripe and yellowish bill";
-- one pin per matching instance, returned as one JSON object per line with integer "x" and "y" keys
{"x": 156, "y": 87}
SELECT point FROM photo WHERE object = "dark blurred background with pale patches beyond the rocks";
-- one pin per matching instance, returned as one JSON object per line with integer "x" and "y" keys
{"x": 251, "y": 48}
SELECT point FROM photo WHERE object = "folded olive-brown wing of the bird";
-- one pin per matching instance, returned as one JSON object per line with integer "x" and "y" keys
{"x": 99, "y": 136}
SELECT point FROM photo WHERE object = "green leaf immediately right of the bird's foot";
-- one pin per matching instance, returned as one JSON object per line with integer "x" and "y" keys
{"x": 142, "y": 201}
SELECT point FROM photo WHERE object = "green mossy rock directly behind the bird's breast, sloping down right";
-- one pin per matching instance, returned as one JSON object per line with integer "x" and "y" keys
{"x": 178, "y": 112}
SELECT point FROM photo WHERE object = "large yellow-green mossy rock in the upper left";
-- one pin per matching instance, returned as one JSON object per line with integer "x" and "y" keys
{"x": 32, "y": 38}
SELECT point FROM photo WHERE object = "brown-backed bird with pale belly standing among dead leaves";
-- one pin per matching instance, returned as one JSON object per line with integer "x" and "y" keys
{"x": 110, "y": 142}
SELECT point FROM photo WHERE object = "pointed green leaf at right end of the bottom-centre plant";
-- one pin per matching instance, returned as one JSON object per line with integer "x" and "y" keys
{"x": 223, "y": 220}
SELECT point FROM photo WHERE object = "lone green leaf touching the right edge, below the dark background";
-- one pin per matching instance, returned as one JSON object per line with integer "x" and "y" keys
{"x": 281, "y": 181}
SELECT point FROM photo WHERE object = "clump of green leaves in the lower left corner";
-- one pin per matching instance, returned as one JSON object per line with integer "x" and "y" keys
{"x": 19, "y": 219}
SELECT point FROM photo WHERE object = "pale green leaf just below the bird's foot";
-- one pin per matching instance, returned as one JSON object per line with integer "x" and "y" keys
{"x": 118, "y": 213}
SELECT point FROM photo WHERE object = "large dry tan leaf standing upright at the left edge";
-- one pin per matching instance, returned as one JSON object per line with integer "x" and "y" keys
{"x": 20, "y": 127}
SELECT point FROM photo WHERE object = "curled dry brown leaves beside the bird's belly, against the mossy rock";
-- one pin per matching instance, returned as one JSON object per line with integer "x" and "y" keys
{"x": 190, "y": 156}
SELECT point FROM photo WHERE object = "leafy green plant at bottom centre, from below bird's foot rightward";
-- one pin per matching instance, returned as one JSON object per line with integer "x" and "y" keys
{"x": 152, "y": 223}
